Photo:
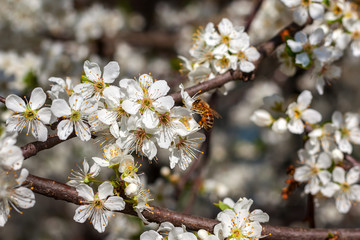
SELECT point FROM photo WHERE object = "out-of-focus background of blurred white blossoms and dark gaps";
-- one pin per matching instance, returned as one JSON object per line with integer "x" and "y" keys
{"x": 44, "y": 38}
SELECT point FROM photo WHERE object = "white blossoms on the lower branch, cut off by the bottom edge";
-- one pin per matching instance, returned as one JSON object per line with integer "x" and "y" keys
{"x": 236, "y": 222}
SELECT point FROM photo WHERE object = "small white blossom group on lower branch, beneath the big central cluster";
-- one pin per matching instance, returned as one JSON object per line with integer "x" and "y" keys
{"x": 101, "y": 206}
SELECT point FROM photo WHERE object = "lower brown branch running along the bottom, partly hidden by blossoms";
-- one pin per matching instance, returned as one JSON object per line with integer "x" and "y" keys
{"x": 59, "y": 191}
